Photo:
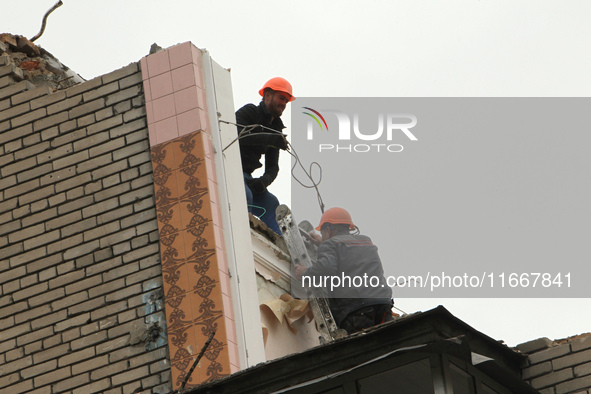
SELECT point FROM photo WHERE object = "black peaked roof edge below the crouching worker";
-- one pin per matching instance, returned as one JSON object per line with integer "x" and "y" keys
{"x": 414, "y": 330}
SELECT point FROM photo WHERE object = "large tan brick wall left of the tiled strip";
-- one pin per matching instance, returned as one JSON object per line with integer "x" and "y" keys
{"x": 81, "y": 296}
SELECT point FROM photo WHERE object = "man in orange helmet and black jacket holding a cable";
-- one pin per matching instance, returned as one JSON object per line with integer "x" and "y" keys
{"x": 266, "y": 140}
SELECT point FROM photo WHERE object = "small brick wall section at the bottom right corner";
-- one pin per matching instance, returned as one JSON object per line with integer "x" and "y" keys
{"x": 558, "y": 367}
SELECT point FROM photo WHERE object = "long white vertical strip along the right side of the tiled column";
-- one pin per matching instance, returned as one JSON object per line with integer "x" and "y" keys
{"x": 235, "y": 224}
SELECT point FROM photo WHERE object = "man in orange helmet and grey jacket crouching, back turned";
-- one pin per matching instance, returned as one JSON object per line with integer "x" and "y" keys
{"x": 364, "y": 300}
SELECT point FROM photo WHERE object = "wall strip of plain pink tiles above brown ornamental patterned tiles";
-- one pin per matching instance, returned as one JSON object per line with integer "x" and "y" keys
{"x": 194, "y": 264}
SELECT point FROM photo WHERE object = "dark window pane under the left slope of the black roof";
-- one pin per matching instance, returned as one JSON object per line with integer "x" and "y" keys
{"x": 411, "y": 378}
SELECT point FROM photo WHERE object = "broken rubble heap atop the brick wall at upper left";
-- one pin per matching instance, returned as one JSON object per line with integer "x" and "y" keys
{"x": 35, "y": 64}
